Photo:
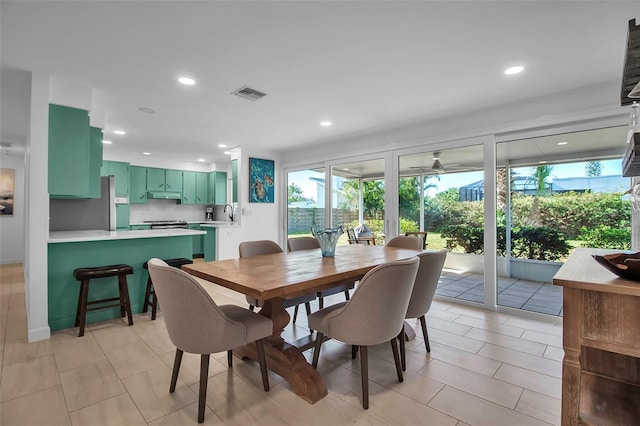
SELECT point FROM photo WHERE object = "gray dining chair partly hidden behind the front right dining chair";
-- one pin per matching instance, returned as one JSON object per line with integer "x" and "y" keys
{"x": 431, "y": 263}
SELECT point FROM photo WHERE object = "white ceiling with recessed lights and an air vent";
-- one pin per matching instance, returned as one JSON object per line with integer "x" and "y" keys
{"x": 362, "y": 65}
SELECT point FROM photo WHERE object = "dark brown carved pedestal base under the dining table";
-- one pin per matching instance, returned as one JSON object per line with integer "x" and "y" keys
{"x": 285, "y": 359}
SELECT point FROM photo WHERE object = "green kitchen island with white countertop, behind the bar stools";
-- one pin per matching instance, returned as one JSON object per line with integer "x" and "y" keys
{"x": 68, "y": 250}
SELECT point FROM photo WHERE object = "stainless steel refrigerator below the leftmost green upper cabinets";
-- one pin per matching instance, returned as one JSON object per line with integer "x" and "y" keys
{"x": 85, "y": 214}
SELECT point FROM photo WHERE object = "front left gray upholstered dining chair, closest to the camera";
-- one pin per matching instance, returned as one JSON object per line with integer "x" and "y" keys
{"x": 196, "y": 324}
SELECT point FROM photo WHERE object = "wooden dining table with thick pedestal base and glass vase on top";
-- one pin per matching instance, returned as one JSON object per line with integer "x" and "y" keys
{"x": 274, "y": 277}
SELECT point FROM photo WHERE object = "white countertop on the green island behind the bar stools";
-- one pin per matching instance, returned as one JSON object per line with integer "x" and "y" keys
{"x": 98, "y": 235}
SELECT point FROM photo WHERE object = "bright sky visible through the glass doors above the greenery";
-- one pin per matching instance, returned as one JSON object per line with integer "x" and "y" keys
{"x": 456, "y": 180}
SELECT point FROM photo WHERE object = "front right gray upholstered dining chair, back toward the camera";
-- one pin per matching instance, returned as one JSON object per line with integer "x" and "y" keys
{"x": 374, "y": 315}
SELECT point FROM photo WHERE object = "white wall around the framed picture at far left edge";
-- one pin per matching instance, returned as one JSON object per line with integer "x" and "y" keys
{"x": 12, "y": 227}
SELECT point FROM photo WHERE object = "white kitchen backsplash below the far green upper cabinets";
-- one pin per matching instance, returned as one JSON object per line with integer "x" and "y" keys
{"x": 165, "y": 210}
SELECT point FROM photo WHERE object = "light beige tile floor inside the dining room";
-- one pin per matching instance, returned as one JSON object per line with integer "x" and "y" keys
{"x": 484, "y": 368}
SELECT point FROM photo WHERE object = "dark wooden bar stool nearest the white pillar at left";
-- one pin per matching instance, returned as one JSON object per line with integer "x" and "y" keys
{"x": 84, "y": 275}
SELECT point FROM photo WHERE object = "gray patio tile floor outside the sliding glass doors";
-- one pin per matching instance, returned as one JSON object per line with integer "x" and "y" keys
{"x": 532, "y": 296}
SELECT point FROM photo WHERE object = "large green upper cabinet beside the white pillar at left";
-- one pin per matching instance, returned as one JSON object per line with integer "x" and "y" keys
{"x": 69, "y": 152}
